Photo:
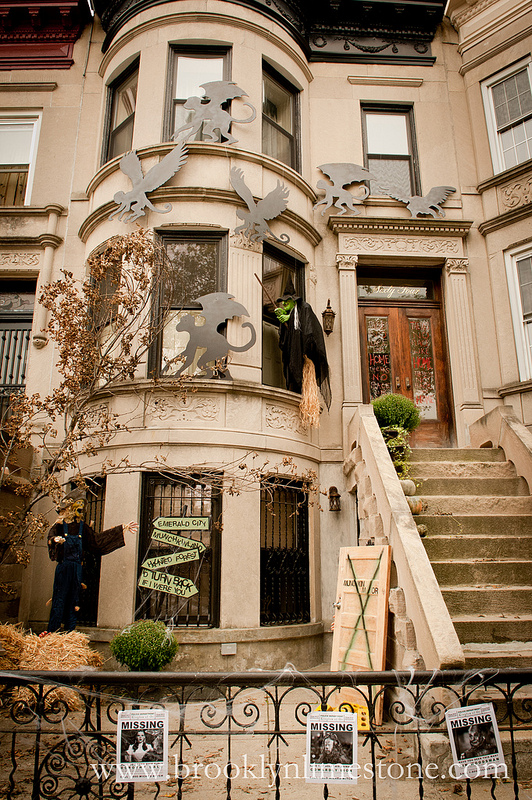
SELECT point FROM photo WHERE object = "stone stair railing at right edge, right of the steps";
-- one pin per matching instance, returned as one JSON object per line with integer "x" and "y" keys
{"x": 501, "y": 428}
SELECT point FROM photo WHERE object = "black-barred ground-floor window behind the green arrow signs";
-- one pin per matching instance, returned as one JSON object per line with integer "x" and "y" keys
{"x": 194, "y": 497}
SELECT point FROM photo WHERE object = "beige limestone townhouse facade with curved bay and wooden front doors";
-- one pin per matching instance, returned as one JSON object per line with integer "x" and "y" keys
{"x": 435, "y": 305}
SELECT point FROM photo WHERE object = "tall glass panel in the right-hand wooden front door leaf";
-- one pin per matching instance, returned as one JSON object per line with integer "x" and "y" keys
{"x": 423, "y": 381}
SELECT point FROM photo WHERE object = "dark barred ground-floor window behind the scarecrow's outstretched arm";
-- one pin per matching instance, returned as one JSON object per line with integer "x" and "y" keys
{"x": 94, "y": 516}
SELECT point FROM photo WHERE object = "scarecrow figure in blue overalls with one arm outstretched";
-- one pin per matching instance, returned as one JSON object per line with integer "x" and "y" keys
{"x": 68, "y": 539}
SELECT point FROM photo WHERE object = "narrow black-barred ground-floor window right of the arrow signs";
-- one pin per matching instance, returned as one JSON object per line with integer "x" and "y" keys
{"x": 284, "y": 555}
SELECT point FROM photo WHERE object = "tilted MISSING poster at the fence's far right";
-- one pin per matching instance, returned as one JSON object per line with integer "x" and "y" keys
{"x": 475, "y": 741}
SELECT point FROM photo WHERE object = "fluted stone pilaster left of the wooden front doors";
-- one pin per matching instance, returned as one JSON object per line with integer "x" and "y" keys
{"x": 351, "y": 367}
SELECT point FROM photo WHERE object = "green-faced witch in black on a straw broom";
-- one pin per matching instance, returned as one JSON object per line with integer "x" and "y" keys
{"x": 304, "y": 357}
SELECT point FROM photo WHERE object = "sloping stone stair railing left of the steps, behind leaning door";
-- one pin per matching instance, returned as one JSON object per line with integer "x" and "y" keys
{"x": 385, "y": 518}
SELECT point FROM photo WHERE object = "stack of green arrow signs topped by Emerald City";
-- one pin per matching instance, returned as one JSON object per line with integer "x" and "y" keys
{"x": 165, "y": 531}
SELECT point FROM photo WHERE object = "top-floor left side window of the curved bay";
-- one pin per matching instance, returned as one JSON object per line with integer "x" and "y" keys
{"x": 121, "y": 104}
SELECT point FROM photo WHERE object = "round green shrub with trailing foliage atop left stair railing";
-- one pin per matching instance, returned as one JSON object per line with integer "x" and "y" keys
{"x": 397, "y": 416}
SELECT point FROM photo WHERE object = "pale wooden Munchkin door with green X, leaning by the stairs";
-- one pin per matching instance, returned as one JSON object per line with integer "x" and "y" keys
{"x": 360, "y": 623}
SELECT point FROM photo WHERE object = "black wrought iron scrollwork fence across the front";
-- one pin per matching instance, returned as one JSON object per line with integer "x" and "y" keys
{"x": 242, "y": 734}
